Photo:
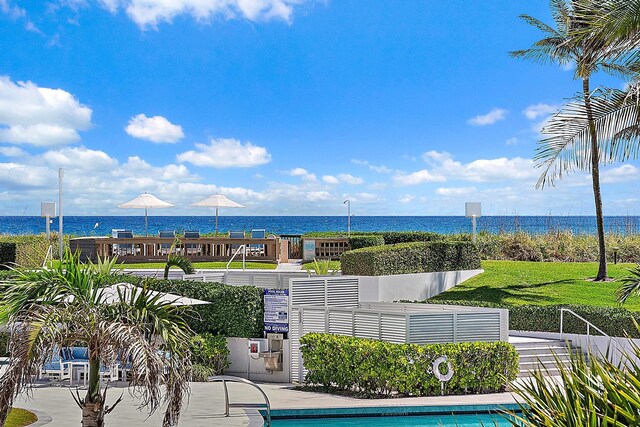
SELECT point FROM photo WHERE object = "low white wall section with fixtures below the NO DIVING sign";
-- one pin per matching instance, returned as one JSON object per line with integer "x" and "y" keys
{"x": 252, "y": 368}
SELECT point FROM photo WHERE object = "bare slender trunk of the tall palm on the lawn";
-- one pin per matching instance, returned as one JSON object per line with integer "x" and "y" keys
{"x": 595, "y": 178}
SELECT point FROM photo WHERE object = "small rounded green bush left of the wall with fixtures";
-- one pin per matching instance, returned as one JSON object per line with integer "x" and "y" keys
{"x": 209, "y": 356}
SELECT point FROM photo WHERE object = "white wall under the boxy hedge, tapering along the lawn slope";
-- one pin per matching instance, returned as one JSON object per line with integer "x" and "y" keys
{"x": 411, "y": 287}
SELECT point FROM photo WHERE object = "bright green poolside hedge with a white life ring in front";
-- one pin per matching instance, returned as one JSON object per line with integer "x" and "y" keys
{"x": 377, "y": 368}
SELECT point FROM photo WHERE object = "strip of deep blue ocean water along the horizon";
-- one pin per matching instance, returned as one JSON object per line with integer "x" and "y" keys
{"x": 102, "y": 225}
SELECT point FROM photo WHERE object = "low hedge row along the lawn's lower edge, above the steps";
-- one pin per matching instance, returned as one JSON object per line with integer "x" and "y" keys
{"x": 614, "y": 321}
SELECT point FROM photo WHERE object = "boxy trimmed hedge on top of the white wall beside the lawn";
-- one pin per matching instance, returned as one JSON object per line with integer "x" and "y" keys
{"x": 408, "y": 258}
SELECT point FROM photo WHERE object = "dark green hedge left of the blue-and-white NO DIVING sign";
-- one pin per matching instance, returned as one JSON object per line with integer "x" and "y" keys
{"x": 235, "y": 311}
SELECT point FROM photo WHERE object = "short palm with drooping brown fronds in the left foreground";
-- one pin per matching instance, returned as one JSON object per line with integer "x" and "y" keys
{"x": 50, "y": 310}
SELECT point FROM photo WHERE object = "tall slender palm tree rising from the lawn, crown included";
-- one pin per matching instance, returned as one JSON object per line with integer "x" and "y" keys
{"x": 590, "y": 54}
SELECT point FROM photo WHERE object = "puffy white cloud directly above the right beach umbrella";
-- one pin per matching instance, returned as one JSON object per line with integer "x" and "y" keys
{"x": 226, "y": 153}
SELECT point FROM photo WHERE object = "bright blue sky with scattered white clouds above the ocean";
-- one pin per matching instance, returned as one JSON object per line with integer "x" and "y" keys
{"x": 287, "y": 106}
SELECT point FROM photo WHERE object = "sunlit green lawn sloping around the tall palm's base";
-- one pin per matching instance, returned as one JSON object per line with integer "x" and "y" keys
{"x": 541, "y": 283}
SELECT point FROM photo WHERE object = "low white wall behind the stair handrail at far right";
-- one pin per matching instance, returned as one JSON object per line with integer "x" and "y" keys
{"x": 596, "y": 344}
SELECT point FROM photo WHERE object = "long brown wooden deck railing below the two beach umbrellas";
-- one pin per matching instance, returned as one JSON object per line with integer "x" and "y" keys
{"x": 156, "y": 249}
